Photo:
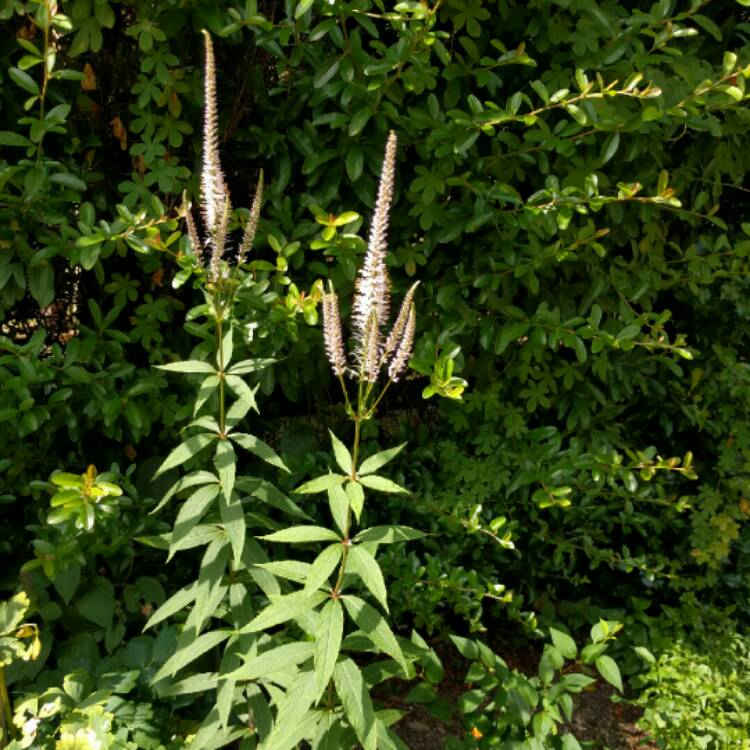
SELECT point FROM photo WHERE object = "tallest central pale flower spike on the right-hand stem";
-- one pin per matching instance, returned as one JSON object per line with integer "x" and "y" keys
{"x": 373, "y": 289}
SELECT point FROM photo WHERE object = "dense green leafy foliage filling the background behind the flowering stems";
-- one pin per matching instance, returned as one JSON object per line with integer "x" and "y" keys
{"x": 571, "y": 192}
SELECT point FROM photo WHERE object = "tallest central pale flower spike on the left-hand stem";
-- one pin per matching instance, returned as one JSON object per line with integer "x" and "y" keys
{"x": 214, "y": 194}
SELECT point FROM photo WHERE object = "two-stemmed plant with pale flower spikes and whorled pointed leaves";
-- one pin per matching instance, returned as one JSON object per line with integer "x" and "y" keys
{"x": 277, "y": 687}
